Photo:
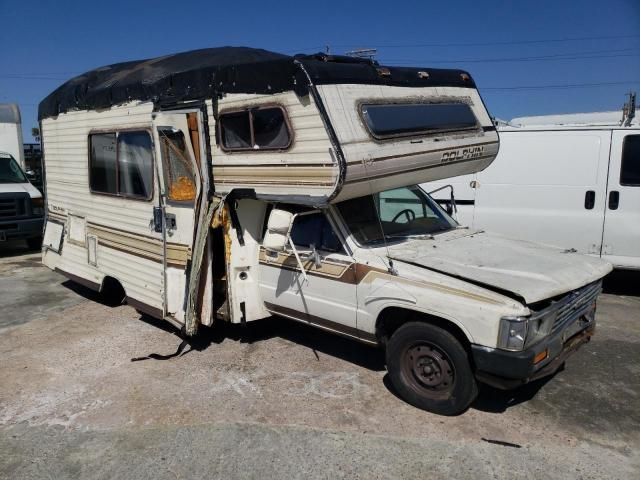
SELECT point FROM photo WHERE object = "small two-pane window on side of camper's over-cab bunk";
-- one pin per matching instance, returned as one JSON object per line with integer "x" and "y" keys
{"x": 264, "y": 128}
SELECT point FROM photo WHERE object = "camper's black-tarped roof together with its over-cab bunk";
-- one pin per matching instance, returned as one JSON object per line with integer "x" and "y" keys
{"x": 311, "y": 129}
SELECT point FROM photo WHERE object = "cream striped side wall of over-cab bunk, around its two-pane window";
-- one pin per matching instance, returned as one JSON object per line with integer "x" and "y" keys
{"x": 307, "y": 170}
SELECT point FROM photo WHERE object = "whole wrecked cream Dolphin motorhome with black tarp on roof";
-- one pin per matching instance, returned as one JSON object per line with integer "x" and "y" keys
{"x": 231, "y": 184}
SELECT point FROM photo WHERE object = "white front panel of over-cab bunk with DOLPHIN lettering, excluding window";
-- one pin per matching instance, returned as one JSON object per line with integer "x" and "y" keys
{"x": 377, "y": 165}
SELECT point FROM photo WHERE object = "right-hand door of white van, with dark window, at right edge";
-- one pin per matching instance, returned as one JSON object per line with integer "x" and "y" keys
{"x": 620, "y": 243}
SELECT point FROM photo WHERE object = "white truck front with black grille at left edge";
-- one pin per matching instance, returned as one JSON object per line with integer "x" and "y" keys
{"x": 21, "y": 204}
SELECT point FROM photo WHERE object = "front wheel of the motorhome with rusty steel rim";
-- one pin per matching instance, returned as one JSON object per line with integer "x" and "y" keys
{"x": 430, "y": 369}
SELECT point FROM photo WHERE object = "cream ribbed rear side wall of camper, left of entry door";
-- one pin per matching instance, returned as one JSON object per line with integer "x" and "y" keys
{"x": 127, "y": 247}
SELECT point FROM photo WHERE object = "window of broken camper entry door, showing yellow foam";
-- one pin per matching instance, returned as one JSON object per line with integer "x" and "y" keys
{"x": 178, "y": 168}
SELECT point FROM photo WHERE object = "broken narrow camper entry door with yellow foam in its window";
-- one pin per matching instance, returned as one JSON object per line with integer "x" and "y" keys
{"x": 178, "y": 149}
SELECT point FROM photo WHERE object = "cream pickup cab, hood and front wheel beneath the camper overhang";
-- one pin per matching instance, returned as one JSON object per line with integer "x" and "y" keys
{"x": 451, "y": 305}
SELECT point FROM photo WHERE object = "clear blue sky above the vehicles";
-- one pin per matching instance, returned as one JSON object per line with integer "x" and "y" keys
{"x": 499, "y": 42}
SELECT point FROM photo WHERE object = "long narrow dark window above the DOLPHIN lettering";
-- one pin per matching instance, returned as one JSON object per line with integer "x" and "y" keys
{"x": 398, "y": 120}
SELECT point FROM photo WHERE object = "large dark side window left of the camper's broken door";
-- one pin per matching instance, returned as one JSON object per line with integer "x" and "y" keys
{"x": 121, "y": 164}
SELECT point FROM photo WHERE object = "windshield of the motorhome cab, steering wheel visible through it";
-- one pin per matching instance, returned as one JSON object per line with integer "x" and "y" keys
{"x": 403, "y": 213}
